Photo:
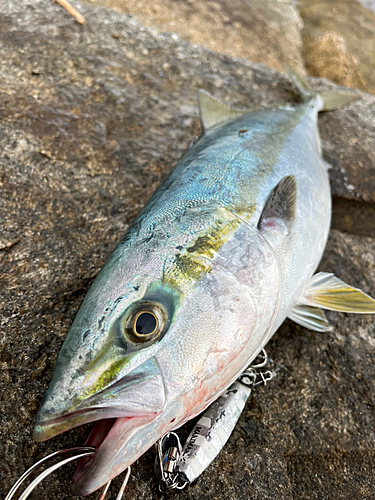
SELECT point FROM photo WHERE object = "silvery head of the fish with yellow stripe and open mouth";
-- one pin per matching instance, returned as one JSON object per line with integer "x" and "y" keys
{"x": 164, "y": 329}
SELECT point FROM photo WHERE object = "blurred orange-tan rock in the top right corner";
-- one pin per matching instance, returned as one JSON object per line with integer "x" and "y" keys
{"x": 339, "y": 41}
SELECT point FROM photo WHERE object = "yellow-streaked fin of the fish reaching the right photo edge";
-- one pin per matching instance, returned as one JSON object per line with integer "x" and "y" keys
{"x": 328, "y": 292}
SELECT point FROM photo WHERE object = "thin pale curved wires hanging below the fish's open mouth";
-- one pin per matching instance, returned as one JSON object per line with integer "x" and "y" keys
{"x": 86, "y": 451}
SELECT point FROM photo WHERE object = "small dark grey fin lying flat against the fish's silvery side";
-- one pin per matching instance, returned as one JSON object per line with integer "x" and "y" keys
{"x": 280, "y": 206}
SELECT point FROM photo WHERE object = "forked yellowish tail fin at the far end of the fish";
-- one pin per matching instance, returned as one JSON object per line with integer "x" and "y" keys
{"x": 330, "y": 100}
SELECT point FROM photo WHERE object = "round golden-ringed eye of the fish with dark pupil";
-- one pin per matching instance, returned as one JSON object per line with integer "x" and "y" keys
{"x": 144, "y": 322}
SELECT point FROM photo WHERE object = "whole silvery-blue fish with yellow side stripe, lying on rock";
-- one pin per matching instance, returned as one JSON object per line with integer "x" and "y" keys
{"x": 224, "y": 251}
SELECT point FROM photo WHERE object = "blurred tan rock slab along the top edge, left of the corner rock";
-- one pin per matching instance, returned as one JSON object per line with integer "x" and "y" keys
{"x": 262, "y": 31}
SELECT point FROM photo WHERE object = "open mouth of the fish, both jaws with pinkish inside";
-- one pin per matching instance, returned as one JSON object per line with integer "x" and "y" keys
{"x": 123, "y": 414}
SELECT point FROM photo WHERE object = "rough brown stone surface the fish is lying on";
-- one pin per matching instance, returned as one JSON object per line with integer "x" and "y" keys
{"x": 92, "y": 118}
